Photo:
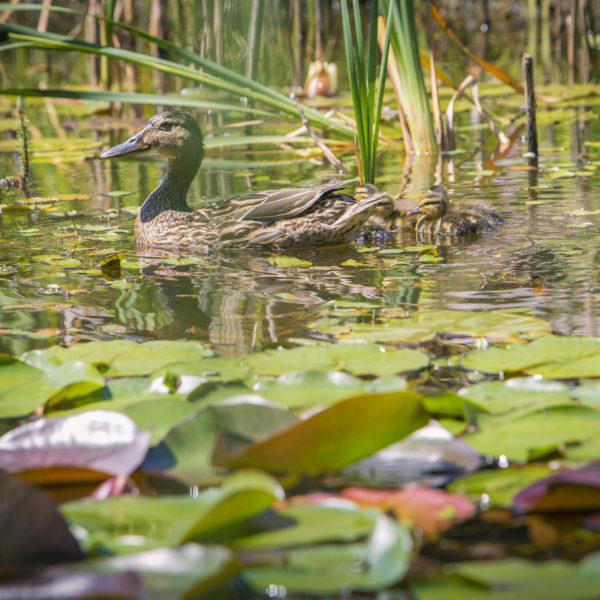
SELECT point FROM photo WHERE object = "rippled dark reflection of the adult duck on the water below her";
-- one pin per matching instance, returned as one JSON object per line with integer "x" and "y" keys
{"x": 240, "y": 303}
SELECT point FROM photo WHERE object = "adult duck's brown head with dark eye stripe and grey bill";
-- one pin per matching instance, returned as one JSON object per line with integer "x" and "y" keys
{"x": 172, "y": 133}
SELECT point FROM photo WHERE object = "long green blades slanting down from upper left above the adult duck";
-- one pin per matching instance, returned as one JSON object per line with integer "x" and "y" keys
{"x": 212, "y": 74}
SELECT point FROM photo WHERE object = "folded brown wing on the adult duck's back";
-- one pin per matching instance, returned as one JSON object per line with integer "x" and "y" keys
{"x": 275, "y": 205}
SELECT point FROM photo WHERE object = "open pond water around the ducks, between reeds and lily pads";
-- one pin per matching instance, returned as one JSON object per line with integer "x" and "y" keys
{"x": 543, "y": 261}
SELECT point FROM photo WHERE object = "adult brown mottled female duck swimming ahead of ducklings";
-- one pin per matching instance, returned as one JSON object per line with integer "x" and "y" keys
{"x": 297, "y": 216}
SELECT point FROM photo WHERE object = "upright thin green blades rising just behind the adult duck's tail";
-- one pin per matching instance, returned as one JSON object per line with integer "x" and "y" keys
{"x": 362, "y": 74}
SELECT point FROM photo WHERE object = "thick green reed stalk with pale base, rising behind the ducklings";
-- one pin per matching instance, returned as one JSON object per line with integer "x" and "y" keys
{"x": 413, "y": 93}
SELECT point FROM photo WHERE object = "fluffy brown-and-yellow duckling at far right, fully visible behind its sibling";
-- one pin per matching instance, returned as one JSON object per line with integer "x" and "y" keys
{"x": 439, "y": 216}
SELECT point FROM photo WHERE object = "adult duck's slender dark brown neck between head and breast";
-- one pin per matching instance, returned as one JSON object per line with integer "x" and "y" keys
{"x": 172, "y": 190}
